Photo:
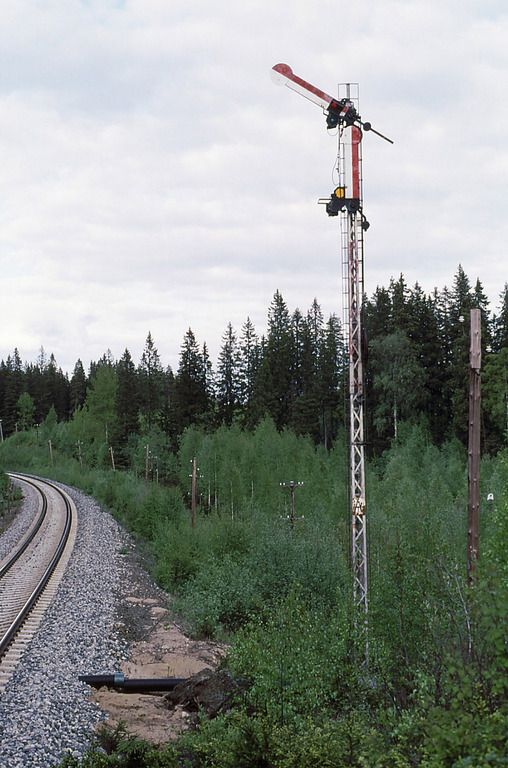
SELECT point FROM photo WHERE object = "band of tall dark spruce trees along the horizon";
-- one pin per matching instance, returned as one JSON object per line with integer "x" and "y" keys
{"x": 416, "y": 362}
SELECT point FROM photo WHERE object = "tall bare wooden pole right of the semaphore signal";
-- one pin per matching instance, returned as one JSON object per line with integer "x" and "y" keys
{"x": 473, "y": 515}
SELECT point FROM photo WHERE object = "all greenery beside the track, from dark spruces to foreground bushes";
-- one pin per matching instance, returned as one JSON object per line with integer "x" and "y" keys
{"x": 433, "y": 691}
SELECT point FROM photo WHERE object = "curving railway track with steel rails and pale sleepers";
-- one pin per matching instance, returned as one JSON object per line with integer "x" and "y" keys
{"x": 30, "y": 574}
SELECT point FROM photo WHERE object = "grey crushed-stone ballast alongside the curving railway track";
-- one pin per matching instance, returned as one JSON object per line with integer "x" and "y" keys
{"x": 45, "y": 711}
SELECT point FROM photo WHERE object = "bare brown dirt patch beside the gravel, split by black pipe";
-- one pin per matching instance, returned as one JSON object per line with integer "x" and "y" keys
{"x": 159, "y": 647}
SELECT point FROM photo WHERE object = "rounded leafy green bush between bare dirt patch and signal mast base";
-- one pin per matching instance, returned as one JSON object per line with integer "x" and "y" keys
{"x": 294, "y": 655}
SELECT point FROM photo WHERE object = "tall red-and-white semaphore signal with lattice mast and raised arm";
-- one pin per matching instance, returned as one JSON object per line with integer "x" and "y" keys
{"x": 346, "y": 199}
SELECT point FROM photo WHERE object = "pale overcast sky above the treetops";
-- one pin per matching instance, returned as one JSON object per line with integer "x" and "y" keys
{"x": 153, "y": 178}
